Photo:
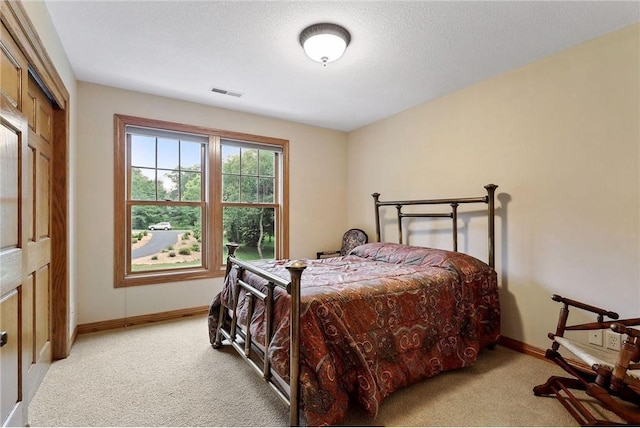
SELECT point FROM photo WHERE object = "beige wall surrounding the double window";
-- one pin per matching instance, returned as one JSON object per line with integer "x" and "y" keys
{"x": 313, "y": 153}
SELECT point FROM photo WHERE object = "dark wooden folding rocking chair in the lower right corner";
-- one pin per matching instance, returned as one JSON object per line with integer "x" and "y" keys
{"x": 611, "y": 377}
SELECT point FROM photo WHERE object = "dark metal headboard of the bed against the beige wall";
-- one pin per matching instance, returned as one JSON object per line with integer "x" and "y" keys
{"x": 489, "y": 200}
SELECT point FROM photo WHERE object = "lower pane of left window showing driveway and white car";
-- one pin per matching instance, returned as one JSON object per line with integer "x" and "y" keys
{"x": 178, "y": 247}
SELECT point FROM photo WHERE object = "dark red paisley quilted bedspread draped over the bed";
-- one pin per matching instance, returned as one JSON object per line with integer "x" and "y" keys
{"x": 383, "y": 317}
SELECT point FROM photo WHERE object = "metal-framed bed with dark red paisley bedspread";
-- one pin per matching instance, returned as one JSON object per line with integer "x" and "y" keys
{"x": 324, "y": 333}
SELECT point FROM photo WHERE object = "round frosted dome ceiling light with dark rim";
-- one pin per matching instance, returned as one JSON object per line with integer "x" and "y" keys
{"x": 324, "y": 42}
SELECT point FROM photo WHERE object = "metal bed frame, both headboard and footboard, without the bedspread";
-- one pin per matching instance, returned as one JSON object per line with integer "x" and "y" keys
{"x": 240, "y": 338}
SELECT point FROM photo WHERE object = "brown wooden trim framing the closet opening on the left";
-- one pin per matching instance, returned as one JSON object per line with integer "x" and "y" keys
{"x": 17, "y": 22}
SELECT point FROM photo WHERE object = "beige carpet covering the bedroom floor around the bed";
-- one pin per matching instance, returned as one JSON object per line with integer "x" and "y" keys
{"x": 167, "y": 374}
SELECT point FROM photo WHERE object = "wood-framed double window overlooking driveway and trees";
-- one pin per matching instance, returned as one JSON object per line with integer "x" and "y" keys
{"x": 182, "y": 192}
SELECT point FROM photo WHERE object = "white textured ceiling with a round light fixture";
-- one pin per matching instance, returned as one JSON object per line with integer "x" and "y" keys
{"x": 402, "y": 53}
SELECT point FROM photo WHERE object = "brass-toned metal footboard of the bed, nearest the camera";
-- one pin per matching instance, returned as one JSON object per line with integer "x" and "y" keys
{"x": 240, "y": 337}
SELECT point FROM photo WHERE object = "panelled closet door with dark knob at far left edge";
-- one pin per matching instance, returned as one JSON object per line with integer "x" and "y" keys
{"x": 14, "y": 195}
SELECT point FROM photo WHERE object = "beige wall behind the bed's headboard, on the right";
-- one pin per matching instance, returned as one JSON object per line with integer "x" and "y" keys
{"x": 561, "y": 137}
